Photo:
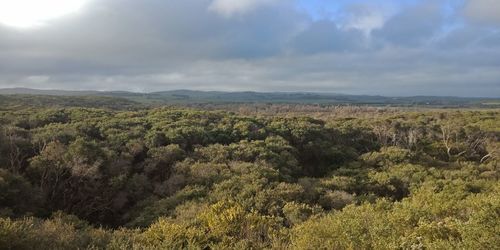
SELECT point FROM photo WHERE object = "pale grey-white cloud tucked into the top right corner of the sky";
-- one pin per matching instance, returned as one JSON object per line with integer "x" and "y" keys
{"x": 483, "y": 10}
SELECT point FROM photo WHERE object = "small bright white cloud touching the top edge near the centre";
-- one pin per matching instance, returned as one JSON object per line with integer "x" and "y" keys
{"x": 229, "y": 8}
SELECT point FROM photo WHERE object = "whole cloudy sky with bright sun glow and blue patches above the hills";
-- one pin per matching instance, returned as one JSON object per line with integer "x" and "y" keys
{"x": 374, "y": 47}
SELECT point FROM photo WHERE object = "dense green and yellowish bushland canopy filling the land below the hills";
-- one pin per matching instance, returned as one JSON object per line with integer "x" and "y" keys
{"x": 128, "y": 177}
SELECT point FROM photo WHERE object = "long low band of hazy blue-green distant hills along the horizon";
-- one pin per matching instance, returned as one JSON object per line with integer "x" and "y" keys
{"x": 192, "y": 96}
